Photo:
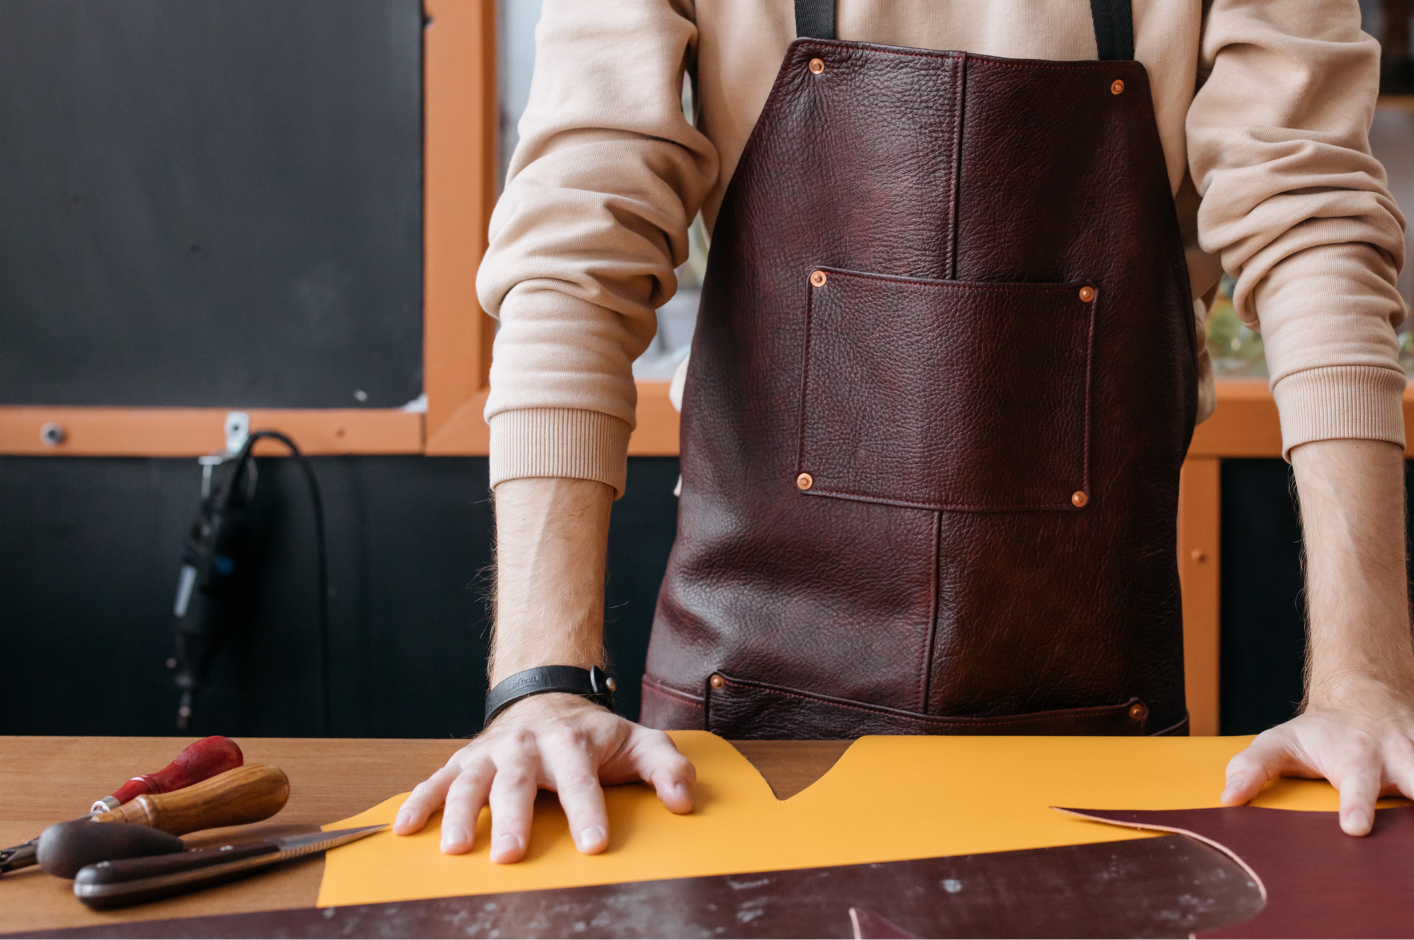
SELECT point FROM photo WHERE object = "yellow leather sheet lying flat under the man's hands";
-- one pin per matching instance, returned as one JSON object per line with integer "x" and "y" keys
{"x": 887, "y": 799}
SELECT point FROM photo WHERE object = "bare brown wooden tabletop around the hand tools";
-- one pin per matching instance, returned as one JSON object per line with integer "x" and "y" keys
{"x": 47, "y": 781}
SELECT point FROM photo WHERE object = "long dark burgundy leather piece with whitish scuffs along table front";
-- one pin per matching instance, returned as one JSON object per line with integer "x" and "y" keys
{"x": 1163, "y": 887}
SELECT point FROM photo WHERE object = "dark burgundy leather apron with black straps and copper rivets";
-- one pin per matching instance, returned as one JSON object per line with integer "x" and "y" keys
{"x": 941, "y": 389}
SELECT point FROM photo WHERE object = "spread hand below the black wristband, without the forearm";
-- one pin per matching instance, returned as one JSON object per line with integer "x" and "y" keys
{"x": 555, "y": 741}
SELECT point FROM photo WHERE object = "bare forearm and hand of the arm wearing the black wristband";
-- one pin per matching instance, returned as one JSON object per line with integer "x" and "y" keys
{"x": 552, "y": 536}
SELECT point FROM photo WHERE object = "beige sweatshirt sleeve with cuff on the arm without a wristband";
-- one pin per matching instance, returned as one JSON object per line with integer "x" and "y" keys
{"x": 1299, "y": 210}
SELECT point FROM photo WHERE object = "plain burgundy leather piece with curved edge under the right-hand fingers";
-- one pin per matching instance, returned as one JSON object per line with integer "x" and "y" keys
{"x": 1320, "y": 883}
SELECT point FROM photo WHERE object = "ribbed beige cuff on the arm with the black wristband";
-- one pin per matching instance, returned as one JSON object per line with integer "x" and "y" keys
{"x": 571, "y": 443}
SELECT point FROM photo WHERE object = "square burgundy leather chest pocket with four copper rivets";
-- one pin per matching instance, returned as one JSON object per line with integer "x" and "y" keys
{"x": 948, "y": 395}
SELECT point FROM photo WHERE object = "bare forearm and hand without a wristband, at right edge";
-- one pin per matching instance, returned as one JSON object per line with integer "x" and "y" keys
{"x": 1357, "y": 729}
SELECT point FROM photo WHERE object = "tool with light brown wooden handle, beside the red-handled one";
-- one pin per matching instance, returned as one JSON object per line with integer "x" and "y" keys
{"x": 247, "y": 795}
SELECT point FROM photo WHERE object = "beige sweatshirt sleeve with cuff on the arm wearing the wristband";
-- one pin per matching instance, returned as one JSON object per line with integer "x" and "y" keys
{"x": 602, "y": 190}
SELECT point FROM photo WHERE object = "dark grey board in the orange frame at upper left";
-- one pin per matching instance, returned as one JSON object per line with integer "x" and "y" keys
{"x": 211, "y": 203}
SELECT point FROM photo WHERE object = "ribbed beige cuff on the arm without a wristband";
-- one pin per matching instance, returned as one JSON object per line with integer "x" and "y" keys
{"x": 1341, "y": 402}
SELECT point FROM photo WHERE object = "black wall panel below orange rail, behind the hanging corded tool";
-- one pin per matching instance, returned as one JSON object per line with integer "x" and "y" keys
{"x": 88, "y": 569}
